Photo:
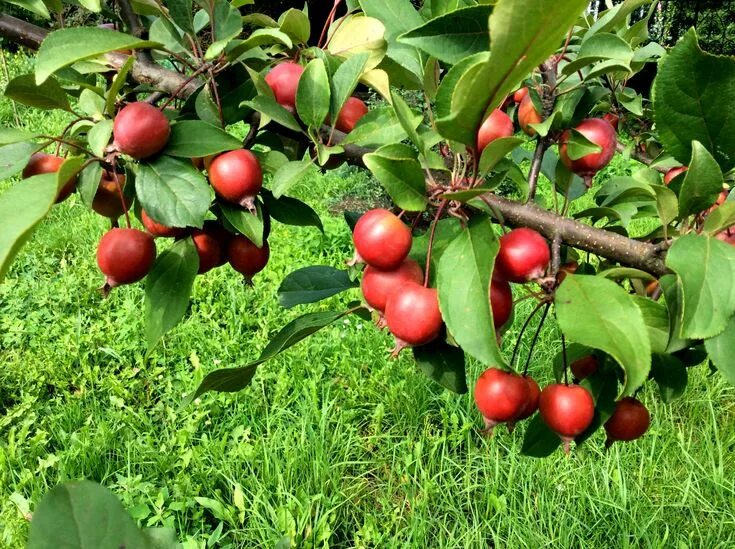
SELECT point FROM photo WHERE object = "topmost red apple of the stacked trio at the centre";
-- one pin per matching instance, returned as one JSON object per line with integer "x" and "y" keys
{"x": 381, "y": 240}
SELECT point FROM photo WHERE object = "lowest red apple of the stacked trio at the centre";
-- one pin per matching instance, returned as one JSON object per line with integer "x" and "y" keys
{"x": 412, "y": 315}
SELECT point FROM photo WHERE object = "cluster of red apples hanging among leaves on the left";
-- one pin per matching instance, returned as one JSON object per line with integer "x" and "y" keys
{"x": 126, "y": 255}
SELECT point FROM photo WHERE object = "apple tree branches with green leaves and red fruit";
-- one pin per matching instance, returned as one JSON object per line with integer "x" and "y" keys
{"x": 156, "y": 96}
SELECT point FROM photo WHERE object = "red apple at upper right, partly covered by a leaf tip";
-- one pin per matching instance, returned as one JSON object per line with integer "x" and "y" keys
{"x": 599, "y": 132}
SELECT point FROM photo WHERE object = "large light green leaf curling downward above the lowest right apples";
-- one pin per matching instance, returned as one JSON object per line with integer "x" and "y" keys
{"x": 598, "y": 313}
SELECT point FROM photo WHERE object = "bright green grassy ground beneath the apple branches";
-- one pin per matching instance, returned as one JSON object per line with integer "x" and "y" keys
{"x": 333, "y": 444}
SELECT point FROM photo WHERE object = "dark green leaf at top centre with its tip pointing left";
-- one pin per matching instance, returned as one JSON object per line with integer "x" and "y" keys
{"x": 454, "y": 36}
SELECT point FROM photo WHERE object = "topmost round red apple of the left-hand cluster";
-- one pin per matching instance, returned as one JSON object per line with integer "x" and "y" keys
{"x": 140, "y": 130}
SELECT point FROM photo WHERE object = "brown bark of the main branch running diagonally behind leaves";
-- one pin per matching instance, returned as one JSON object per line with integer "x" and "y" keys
{"x": 606, "y": 244}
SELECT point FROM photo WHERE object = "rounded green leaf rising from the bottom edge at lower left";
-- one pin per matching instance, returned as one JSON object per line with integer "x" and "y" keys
{"x": 83, "y": 514}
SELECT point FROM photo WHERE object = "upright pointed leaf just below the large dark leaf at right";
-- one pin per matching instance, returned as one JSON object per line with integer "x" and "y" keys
{"x": 702, "y": 184}
